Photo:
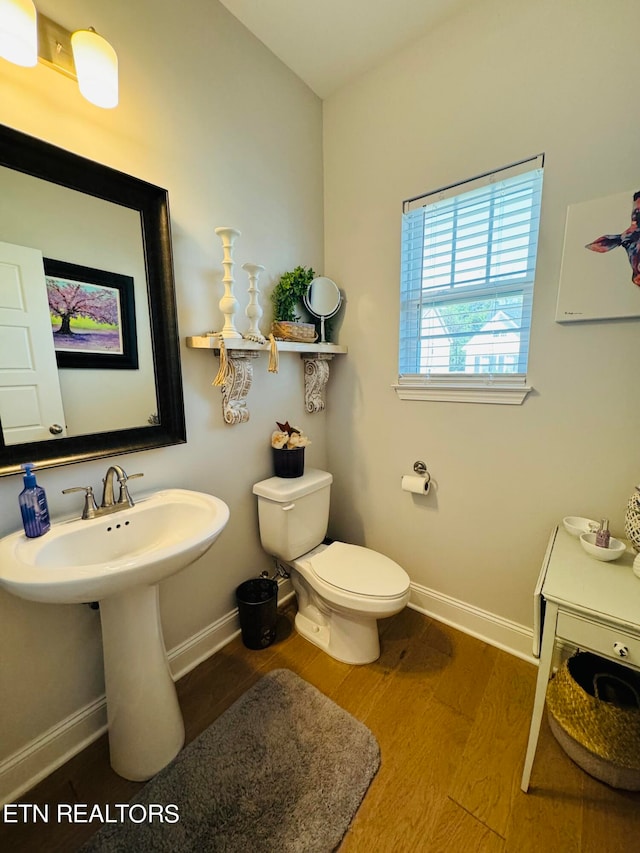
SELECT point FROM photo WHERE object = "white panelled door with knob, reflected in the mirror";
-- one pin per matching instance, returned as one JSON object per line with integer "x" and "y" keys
{"x": 30, "y": 399}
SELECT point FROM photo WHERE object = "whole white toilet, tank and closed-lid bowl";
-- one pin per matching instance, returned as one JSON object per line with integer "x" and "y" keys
{"x": 342, "y": 590}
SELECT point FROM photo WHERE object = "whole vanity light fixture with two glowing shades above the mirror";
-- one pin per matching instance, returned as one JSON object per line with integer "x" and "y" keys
{"x": 83, "y": 55}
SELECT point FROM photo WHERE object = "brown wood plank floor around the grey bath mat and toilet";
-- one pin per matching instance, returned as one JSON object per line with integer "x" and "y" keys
{"x": 451, "y": 715}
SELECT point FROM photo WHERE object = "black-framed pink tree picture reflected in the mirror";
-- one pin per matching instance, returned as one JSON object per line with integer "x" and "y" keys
{"x": 92, "y": 316}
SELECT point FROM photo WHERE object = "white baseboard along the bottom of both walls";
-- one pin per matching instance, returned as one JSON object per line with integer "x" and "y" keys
{"x": 35, "y": 761}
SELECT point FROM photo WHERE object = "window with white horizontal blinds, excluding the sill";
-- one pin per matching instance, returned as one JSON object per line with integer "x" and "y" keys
{"x": 467, "y": 275}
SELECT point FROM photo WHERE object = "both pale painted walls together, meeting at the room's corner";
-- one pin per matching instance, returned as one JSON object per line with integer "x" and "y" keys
{"x": 209, "y": 113}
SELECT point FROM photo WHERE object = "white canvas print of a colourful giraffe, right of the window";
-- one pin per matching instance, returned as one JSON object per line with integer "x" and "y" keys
{"x": 600, "y": 275}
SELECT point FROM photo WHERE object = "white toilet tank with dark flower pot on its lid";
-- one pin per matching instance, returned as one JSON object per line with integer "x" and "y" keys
{"x": 293, "y": 514}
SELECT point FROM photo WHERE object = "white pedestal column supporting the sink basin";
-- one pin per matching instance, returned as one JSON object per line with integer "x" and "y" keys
{"x": 146, "y": 730}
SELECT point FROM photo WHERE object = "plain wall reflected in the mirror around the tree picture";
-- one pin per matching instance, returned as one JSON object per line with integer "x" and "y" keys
{"x": 76, "y": 228}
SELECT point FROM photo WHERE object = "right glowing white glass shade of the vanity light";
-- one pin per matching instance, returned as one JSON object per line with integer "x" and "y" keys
{"x": 97, "y": 68}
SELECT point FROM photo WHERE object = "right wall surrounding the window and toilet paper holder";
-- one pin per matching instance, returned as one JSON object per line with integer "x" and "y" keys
{"x": 503, "y": 80}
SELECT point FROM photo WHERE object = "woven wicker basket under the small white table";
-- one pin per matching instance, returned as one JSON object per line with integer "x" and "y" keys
{"x": 601, "y": 735}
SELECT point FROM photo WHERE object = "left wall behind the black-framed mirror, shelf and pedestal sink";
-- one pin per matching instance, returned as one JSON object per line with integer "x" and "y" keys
{"x": 207, "y": 112}
